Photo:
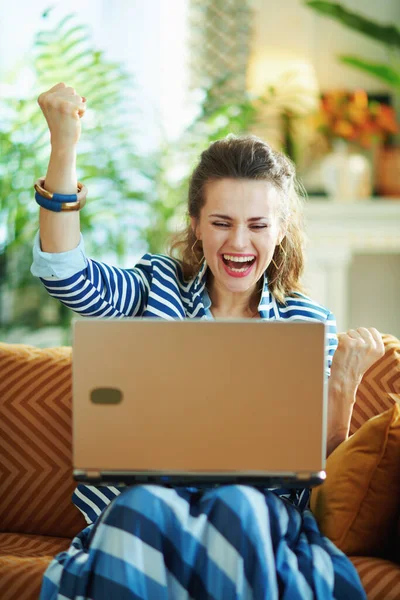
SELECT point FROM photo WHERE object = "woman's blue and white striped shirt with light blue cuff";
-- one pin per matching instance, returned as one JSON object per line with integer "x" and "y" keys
{"x": 153, "y": 288}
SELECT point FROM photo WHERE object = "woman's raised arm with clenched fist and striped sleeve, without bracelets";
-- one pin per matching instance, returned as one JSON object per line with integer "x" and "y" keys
{"x": 85, "y": 286}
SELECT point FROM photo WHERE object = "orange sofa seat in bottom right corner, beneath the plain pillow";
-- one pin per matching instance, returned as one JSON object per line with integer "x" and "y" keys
{"x": 380, "y": 578}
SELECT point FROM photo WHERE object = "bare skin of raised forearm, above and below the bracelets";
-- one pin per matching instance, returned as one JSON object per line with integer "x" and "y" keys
{"x": 60, "y": 232}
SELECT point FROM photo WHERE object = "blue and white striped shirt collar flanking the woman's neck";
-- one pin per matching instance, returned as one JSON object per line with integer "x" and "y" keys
{"x": 267, "y": 306}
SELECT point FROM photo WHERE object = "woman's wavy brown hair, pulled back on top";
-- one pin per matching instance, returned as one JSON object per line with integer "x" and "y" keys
{"x": 249, "y": 157}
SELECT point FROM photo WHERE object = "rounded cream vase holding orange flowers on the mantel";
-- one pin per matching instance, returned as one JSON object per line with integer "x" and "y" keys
{"x": 346, "y": 174}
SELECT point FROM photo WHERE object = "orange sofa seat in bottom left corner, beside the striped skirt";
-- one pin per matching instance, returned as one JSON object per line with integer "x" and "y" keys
{"x": 23, "y": 560}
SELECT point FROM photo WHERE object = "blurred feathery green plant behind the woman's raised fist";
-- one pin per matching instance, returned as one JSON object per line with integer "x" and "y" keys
{"x": 107, "y": 162}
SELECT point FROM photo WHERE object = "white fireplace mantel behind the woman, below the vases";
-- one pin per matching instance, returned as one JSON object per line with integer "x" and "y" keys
{"x": 337, "y": 232}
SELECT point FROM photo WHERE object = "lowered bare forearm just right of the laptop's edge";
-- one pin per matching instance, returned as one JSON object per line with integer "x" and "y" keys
{"x": 341, "y": 399}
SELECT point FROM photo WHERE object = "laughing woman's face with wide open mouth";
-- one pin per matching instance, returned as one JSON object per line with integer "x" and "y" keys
{"x": 239, "y": 227}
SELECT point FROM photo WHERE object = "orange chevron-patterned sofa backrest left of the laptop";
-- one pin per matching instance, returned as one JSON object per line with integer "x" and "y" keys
{"x": 36, "y": 482}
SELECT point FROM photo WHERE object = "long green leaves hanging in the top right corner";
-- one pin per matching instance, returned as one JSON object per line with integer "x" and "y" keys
{"x": 388, "y": 35}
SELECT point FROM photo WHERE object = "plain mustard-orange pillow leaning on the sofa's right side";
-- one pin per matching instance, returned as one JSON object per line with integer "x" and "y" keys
{"x": 357, "y": 506}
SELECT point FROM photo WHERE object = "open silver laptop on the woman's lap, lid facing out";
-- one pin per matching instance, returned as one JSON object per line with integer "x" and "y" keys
{"x": 199, "y": 402}
